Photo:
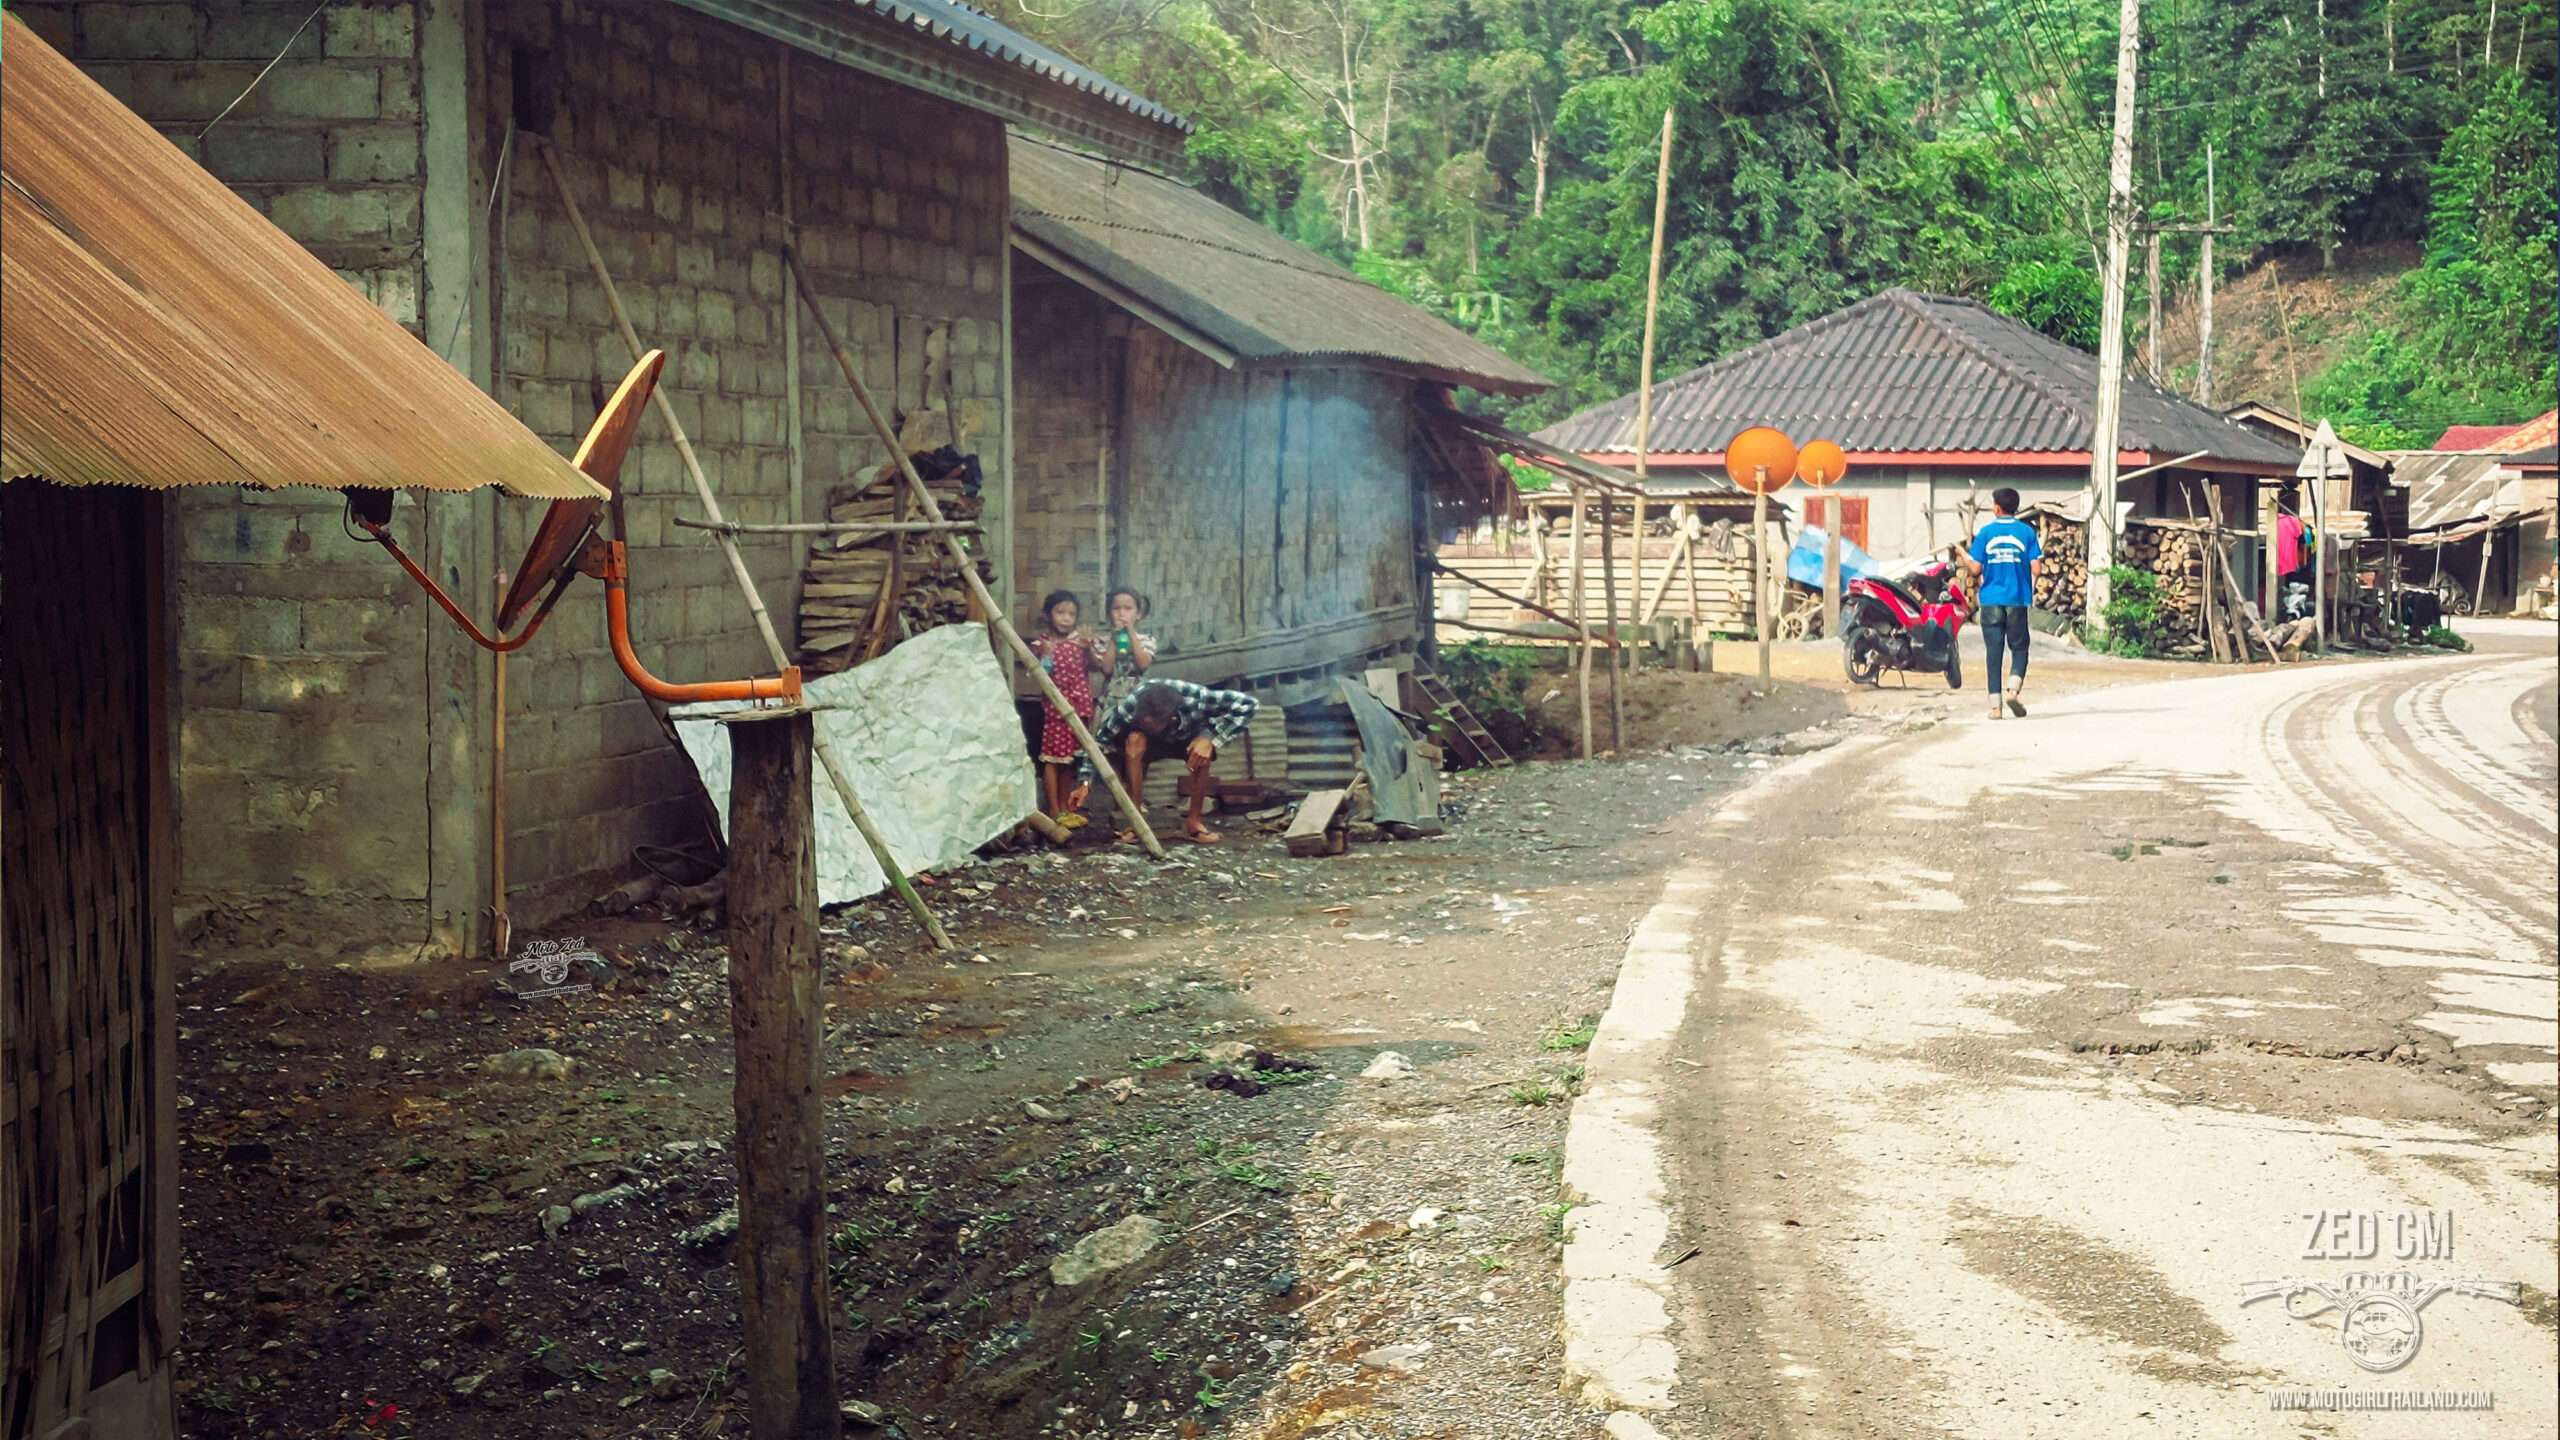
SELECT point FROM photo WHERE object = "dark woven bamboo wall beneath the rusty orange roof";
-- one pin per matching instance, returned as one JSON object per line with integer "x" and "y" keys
{"x": 86, "y": 1013}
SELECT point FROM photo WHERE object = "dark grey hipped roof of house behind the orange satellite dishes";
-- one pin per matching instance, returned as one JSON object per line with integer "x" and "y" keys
{"x": 1914, "y": 373}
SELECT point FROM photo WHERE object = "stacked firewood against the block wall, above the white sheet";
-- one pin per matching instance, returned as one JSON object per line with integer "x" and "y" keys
{"x": 864, "y": 593}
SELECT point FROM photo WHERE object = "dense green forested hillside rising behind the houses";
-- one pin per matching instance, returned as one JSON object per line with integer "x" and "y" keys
{"x": 1494, "y": 160}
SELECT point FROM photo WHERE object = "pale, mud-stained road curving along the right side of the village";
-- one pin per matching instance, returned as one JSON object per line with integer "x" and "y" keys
{"x": 2016, "y": 1052}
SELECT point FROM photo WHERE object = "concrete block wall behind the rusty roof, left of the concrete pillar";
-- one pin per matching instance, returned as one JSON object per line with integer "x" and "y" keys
{"x": 301, "y": 652}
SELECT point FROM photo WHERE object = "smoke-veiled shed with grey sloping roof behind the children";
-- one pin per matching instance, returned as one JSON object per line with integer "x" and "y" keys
{"x": 1230, "y": 424}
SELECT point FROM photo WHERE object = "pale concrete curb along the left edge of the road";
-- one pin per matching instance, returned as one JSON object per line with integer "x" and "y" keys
{"x": 1617, "y": 1290}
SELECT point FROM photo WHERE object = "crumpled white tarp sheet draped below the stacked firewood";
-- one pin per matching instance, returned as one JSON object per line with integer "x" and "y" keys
{"x": 931, "y": 742}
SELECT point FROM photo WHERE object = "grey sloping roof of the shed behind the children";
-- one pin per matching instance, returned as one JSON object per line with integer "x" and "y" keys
{"x": 1230, "y": 281}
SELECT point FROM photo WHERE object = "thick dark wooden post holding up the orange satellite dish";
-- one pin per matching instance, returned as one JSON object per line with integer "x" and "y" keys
{"x": 774, "y": 1021}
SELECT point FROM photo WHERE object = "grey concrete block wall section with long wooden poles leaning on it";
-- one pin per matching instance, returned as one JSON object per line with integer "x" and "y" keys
{"x": 672, "y": 135}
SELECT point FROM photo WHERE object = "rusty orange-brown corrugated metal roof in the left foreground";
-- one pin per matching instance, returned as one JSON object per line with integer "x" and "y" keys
{"x": 160, "y": 332}
